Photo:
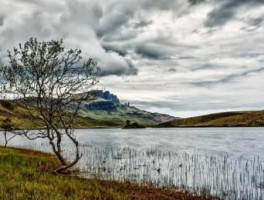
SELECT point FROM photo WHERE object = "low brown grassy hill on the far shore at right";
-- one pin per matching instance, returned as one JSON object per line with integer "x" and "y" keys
{"x": 228, "y": 119}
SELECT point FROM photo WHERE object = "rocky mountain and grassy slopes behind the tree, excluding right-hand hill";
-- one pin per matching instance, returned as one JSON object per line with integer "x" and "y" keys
{"x": 103, "y": 109}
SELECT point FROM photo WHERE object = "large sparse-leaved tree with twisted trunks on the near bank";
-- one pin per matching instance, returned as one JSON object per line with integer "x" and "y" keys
{"x": 49, "y": 81}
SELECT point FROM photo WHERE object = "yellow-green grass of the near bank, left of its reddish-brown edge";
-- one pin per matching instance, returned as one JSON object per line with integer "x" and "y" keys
{"x": 26, "y": 175}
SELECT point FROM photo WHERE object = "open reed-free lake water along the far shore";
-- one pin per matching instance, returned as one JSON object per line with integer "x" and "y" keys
{"x": 246, "y": 142}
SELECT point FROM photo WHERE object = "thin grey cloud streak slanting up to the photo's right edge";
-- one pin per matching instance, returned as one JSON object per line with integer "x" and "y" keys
{"x": 227, "y": 78}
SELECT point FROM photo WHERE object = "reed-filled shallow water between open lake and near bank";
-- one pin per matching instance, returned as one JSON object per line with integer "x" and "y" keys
{"x": 218, "y": 175}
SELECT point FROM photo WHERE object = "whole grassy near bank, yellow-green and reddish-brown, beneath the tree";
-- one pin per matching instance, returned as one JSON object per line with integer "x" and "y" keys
{"x": 26, "y": 174}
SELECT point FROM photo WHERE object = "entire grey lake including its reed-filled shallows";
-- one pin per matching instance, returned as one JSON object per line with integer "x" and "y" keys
{"x": 226, "y": 162}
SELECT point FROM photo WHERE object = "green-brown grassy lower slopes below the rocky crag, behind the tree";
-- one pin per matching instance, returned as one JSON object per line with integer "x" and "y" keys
{"x": 21, "y": 119}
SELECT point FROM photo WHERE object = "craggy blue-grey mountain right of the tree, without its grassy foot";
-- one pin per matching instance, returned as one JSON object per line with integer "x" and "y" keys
{"x": 107, "y": 107}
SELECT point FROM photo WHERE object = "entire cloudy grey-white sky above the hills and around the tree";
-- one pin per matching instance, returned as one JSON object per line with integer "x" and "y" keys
{"x": 181, "y": 57}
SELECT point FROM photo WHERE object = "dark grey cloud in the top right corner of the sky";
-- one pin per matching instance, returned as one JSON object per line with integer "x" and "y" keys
{"x": 226, "y": 10}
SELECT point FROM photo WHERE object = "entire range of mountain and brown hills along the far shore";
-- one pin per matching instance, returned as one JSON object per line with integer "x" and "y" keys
{"x": 105, "y": 110}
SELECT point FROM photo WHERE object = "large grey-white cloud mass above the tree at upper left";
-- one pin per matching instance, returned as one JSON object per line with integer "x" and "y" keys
{"x": 76, "y": 22}
